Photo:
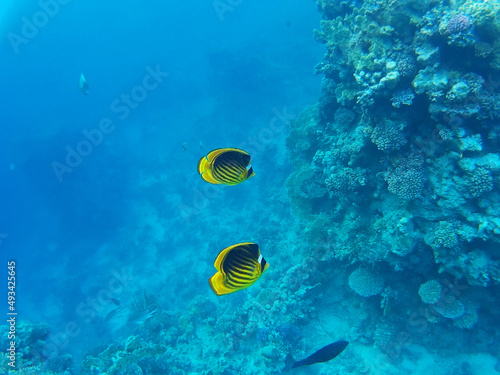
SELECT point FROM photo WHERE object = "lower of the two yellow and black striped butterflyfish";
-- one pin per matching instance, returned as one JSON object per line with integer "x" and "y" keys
{"x": 238, "y": 267}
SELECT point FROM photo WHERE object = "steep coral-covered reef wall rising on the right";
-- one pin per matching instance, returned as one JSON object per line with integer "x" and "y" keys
{"x": 398, "y": 164}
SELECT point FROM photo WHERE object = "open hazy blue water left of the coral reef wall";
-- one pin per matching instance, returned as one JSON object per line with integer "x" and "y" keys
{"x": 226, "y": 75}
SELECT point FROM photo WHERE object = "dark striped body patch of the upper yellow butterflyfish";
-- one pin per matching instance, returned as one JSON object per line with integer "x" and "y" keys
{"x": 229, "y": 167}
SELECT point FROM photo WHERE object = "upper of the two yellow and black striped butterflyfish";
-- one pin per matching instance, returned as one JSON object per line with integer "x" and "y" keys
{"x": 229, "y": 166}
